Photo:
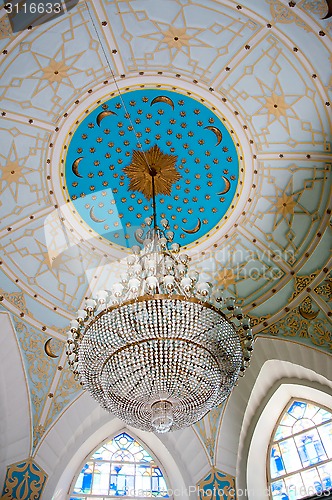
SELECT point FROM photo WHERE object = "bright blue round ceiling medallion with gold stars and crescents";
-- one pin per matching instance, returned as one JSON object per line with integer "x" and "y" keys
{"x": 183, "y": 132}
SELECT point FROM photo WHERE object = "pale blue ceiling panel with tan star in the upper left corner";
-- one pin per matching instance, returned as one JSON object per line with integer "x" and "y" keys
{"x": 44, "y": 73}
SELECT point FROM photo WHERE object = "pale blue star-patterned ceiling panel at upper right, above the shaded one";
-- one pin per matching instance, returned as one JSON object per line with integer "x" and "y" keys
{"x": 284, "y": 109}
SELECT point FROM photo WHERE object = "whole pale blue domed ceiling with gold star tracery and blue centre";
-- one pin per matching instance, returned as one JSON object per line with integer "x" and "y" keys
{"x": 233, "y": 98}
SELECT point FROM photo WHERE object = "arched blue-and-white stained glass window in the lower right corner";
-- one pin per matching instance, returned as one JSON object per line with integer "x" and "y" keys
{"x": 300, "y": 454}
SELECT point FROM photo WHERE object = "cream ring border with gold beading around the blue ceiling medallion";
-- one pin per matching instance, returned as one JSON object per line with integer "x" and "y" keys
{"x": 91, "y": 100}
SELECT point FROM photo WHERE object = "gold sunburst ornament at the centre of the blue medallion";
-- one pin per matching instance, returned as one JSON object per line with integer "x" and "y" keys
{"x": 152, "y": 163}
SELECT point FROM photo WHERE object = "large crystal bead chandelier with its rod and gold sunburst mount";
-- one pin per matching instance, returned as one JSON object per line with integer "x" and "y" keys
{"x": 161, "y": 348}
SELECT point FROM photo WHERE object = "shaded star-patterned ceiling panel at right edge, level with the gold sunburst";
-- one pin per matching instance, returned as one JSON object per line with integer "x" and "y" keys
{"x": 287, "y": 214}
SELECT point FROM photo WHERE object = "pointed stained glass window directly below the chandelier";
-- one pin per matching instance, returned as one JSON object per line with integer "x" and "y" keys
{"x": 121, "y": 467}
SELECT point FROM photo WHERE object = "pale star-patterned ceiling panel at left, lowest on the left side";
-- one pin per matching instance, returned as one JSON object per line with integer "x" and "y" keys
{"x": 60, "y": 282}
